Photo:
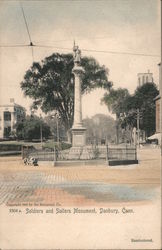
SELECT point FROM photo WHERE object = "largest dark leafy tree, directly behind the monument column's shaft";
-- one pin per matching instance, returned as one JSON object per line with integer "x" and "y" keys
{"x": 51, "y": 83}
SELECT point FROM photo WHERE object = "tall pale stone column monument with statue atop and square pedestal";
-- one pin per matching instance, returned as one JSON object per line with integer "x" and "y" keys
{"x": 78, "y": 131}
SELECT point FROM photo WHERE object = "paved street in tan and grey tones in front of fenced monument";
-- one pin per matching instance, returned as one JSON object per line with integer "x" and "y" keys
{"x": 81, "y": 185}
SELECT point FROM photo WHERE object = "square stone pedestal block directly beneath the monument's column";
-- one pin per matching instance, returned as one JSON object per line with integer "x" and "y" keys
{"x": 78, "y": 137}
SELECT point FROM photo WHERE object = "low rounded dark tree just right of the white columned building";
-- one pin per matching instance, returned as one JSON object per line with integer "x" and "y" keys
{"x": 31, "y": 127}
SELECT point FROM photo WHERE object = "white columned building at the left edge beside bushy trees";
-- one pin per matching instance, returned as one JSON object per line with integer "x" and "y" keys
{"x": 10, "y": 114}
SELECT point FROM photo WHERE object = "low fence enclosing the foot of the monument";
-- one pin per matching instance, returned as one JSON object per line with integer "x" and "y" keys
{"x": 99, "y": 152}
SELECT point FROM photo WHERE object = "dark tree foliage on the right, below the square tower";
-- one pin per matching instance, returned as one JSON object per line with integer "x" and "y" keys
{"x": 125, "y": 106}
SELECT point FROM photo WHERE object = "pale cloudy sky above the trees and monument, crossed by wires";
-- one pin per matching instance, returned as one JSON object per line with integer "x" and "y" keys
{"x": 131, "y": 26}
